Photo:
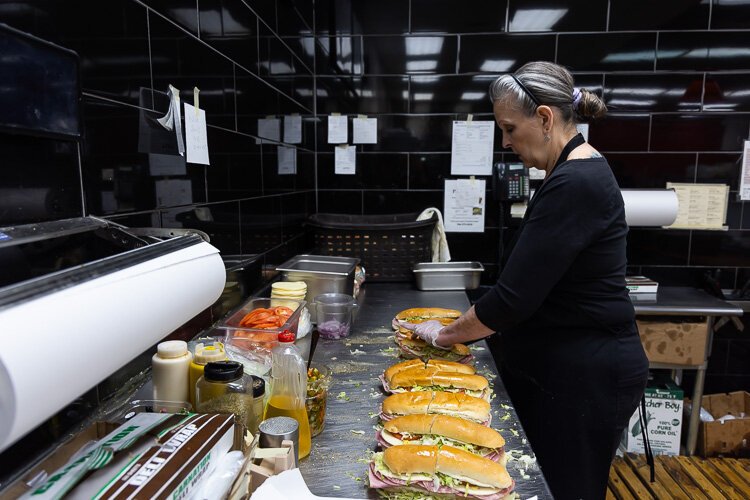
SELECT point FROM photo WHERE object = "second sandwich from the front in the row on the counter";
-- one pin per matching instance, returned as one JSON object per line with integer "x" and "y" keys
{"x": 441, "y": 430}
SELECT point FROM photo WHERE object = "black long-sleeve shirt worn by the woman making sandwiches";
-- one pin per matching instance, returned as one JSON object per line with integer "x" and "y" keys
{"x": 566, "y": 272}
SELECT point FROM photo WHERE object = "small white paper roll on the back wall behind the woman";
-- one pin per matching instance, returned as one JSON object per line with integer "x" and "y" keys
{"x": 650, "y": 207}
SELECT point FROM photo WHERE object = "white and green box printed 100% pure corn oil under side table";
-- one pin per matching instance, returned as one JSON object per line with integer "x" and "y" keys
{"x": 664, "y": 423}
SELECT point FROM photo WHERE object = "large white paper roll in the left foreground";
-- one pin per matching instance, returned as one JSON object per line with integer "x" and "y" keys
{"x": 60, "y": 345}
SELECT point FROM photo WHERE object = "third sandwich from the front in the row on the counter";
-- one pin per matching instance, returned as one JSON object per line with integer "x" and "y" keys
{"x": 436, "y": 403}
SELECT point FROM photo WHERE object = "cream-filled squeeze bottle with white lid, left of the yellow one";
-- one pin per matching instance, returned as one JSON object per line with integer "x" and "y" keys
{"x": 169, "y": 369}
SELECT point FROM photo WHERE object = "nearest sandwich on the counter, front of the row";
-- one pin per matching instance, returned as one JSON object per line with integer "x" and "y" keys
{"x": 444, "y": 472}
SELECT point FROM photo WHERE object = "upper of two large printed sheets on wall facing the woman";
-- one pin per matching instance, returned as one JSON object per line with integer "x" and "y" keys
{"x": 471, "y": 152}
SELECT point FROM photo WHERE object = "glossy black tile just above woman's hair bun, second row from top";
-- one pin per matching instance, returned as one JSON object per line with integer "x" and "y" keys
{"x": 607, "y": 51}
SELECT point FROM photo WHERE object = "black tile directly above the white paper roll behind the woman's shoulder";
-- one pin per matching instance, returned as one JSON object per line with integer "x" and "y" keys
{"x": 651, "y": 170}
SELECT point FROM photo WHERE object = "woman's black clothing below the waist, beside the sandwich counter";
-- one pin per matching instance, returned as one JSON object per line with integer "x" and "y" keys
{"x": 574, "y": 417}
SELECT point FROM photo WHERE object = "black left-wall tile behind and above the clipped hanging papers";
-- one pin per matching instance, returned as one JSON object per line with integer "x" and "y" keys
{"x": 185, "y": 62}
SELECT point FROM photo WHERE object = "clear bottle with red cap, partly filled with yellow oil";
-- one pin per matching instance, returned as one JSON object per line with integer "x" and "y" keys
{"x": 289, "y": 376}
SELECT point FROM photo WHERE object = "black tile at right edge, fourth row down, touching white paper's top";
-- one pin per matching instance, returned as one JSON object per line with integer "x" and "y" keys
{"x": 719, "y": 132}
